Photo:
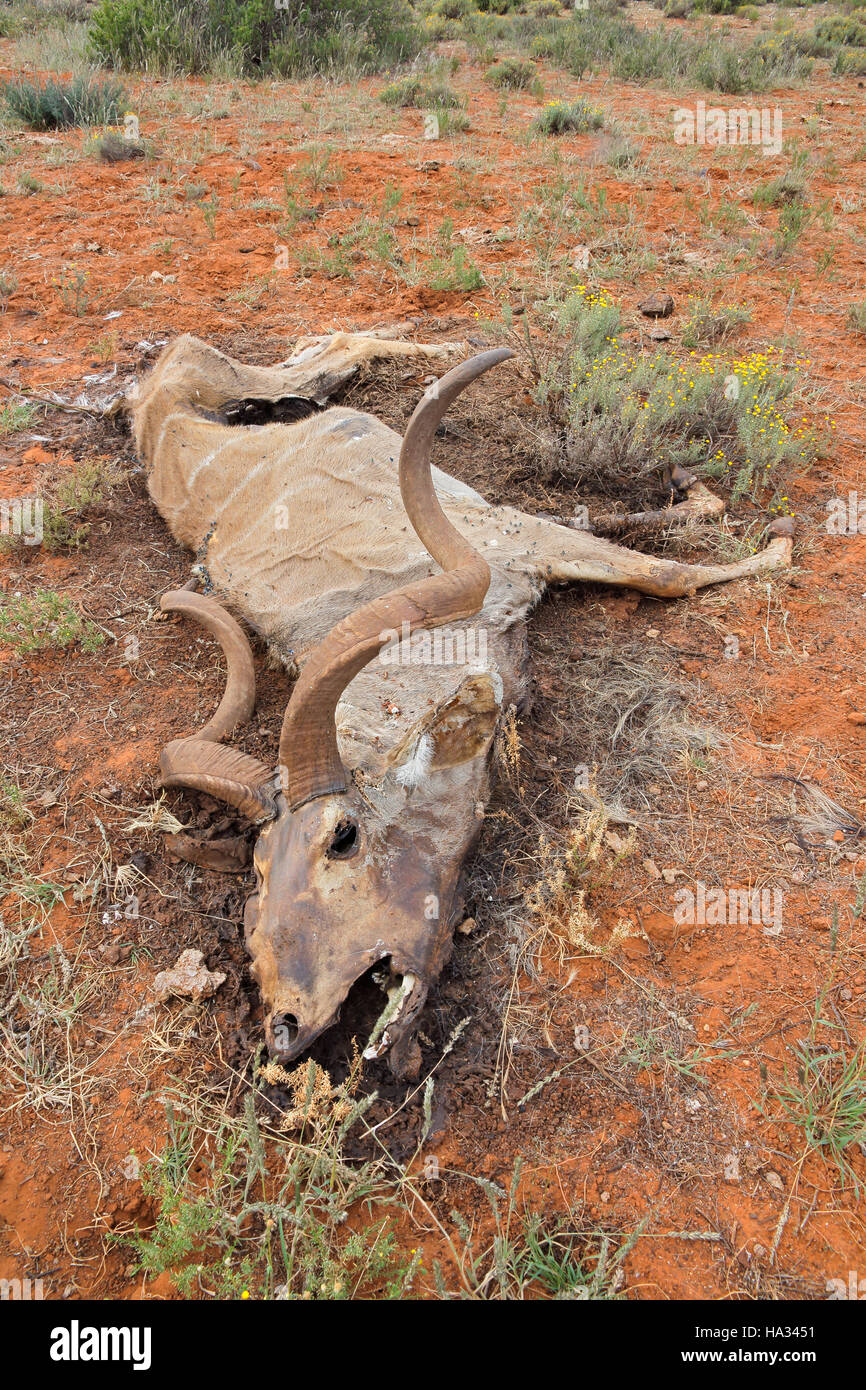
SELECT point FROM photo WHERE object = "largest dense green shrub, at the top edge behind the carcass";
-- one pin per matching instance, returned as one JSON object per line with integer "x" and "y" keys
{"x": 252, "y": 37}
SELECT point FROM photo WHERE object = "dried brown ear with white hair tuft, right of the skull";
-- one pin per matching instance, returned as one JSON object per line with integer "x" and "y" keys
{"x": 454, "y": 733}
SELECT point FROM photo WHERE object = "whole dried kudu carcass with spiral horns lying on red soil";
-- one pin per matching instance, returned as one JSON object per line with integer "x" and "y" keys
{"x": 337, "y": 541}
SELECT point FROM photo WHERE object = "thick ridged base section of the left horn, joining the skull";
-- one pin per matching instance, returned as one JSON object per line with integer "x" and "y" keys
{"x": 223, "y": 772}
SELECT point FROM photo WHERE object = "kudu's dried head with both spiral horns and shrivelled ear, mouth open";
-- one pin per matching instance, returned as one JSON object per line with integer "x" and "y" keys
{"x": 355, "y": 878}
